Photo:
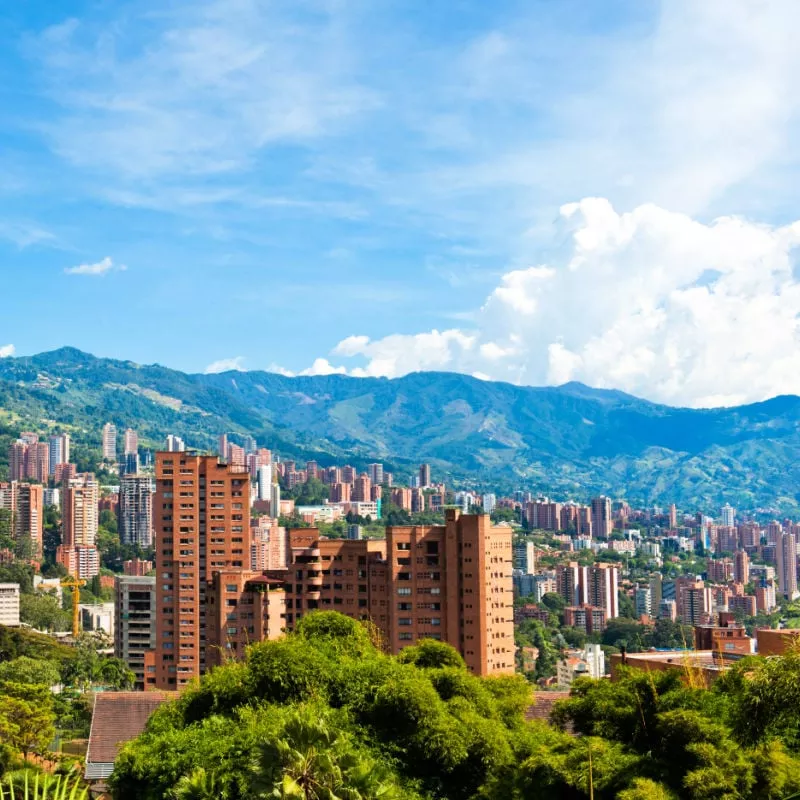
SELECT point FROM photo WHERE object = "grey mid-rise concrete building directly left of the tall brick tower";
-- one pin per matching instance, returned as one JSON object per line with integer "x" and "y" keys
{"x": 135, "y": 612}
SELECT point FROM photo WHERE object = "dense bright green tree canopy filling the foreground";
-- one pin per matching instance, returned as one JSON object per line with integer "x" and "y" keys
{"x": 323, "y": 713}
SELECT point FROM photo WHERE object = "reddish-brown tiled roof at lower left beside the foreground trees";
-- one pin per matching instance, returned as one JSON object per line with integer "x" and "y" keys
{"x": 117, "y": 718}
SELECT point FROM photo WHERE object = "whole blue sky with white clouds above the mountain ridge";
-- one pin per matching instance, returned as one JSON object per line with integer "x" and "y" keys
{"x": 530, "y": 191}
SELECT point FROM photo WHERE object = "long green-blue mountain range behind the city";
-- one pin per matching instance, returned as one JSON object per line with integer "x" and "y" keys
{"x": 568, "y": 441}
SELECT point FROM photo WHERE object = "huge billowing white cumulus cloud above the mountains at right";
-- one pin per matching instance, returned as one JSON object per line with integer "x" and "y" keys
{"x": 649, "y": 301}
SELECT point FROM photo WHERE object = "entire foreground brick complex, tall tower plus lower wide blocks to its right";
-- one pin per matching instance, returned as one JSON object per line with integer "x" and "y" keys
{"x": 450, "y": 582}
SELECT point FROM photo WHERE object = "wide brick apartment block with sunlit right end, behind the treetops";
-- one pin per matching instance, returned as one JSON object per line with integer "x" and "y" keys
{"x": 449, "y": 582}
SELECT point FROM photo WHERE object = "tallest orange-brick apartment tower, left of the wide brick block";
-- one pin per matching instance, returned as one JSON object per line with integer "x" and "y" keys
{"x": 202, "y": 527}
